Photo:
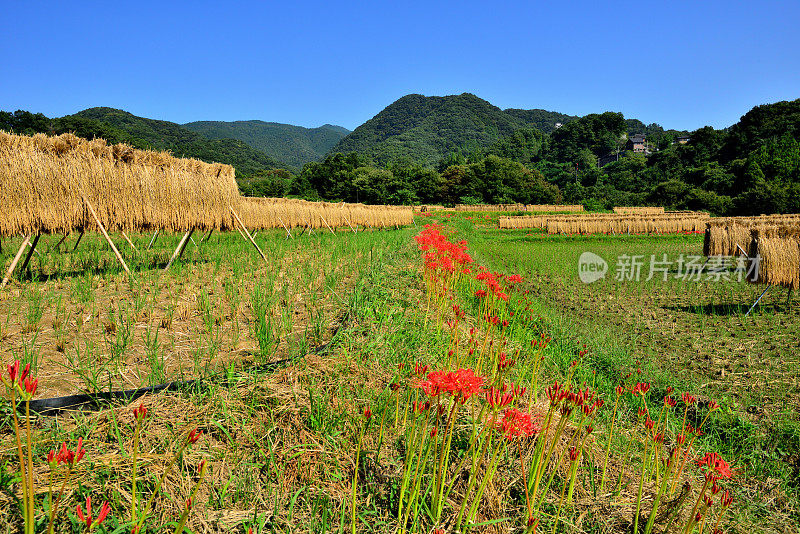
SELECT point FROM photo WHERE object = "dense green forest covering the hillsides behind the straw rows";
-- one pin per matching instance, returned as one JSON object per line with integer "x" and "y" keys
{"x": 461, "y": 149}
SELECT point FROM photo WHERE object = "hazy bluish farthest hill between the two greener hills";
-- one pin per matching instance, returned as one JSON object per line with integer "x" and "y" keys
{"x": 293, "y": 145}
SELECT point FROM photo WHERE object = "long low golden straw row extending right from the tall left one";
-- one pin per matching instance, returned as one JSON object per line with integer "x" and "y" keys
{"x": 265, "y": 213}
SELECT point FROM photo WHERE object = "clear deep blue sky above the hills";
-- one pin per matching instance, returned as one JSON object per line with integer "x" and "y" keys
{"x": 680, "y": 64}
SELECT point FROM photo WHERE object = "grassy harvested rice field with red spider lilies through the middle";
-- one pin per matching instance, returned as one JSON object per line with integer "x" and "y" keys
{"x": 453, "y": 377}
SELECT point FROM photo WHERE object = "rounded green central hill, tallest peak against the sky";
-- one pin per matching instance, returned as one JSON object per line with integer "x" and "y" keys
{"x": 425, "y": 129}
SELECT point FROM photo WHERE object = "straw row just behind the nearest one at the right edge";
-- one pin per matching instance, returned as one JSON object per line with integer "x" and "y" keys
{"x": 726, "y": 236}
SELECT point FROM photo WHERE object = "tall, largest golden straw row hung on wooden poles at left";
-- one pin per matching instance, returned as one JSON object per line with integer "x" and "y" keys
{"x": 43, "y": 181}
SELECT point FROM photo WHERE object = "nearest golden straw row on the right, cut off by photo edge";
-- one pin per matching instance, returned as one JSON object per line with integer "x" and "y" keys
{"x": 779, "y": 251}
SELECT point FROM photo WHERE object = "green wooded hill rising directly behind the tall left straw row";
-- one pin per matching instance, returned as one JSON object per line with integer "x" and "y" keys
{"x": 182, "y": 142}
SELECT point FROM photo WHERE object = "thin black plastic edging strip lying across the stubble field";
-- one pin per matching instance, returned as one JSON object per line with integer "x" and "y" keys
{"x": 95, "y": 401}
